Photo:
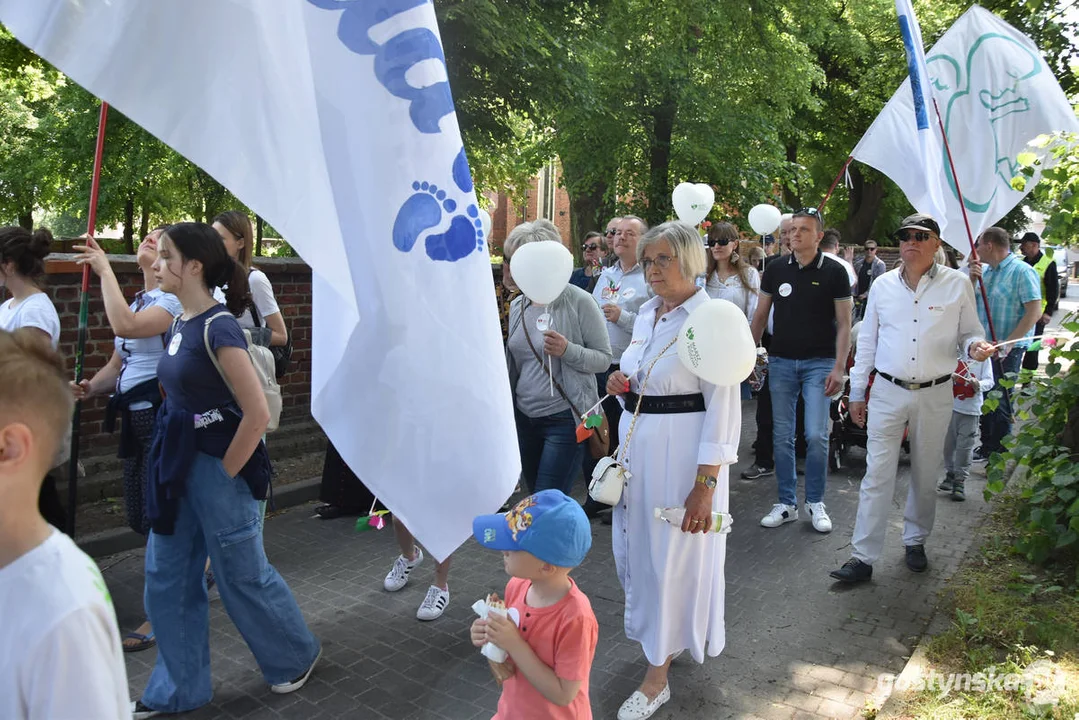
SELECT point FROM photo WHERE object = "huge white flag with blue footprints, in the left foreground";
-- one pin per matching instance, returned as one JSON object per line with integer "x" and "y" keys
{"x": 334, "y": 120}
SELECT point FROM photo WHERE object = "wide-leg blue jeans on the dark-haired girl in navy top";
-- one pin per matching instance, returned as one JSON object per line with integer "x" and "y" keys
{"x": 217, "y": 518}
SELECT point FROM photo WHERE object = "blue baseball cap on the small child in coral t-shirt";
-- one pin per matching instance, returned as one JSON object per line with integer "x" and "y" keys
{"x": 550, "y": 525}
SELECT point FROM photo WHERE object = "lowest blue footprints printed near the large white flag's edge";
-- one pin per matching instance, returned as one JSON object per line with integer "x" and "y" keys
{"x": 426, "y": 210}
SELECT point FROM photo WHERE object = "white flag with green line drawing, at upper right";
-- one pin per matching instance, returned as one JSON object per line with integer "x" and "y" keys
{"x": 995, "y": 94}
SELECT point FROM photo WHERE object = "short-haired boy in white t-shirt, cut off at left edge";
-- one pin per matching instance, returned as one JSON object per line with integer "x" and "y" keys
{"x": 60, "y": 646}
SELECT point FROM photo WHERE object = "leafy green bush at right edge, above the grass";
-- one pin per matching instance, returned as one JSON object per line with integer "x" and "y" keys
{"x": 1046, "y": 445}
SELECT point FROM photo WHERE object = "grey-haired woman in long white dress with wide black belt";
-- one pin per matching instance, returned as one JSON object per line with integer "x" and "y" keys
{"x": 679, "y": 454}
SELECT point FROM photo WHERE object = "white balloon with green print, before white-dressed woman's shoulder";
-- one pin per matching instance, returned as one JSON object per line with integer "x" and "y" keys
{"x": 716, "y": 344}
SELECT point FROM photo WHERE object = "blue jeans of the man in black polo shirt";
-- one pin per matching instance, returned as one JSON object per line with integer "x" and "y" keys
{"x": 787, "y": 378}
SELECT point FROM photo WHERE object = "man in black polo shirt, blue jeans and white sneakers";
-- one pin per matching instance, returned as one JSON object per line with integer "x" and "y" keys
{"x": 809, "y": 356}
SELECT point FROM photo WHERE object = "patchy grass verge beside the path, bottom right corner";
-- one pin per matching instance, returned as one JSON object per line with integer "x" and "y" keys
{"x": 1015, "y": 623}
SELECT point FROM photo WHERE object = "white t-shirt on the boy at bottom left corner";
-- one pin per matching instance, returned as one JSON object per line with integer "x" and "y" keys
{"x": 60, "y": 646}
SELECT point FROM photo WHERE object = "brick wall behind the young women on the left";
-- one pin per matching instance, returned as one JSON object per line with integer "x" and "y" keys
{"x": 292, "y": 282}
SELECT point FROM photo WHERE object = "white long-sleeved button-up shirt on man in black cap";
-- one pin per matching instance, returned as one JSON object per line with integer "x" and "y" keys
{"x": 916, "y": 335}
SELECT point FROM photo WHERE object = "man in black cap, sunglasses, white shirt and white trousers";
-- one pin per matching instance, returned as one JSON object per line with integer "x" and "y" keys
{"x": 920, "y": 320}
